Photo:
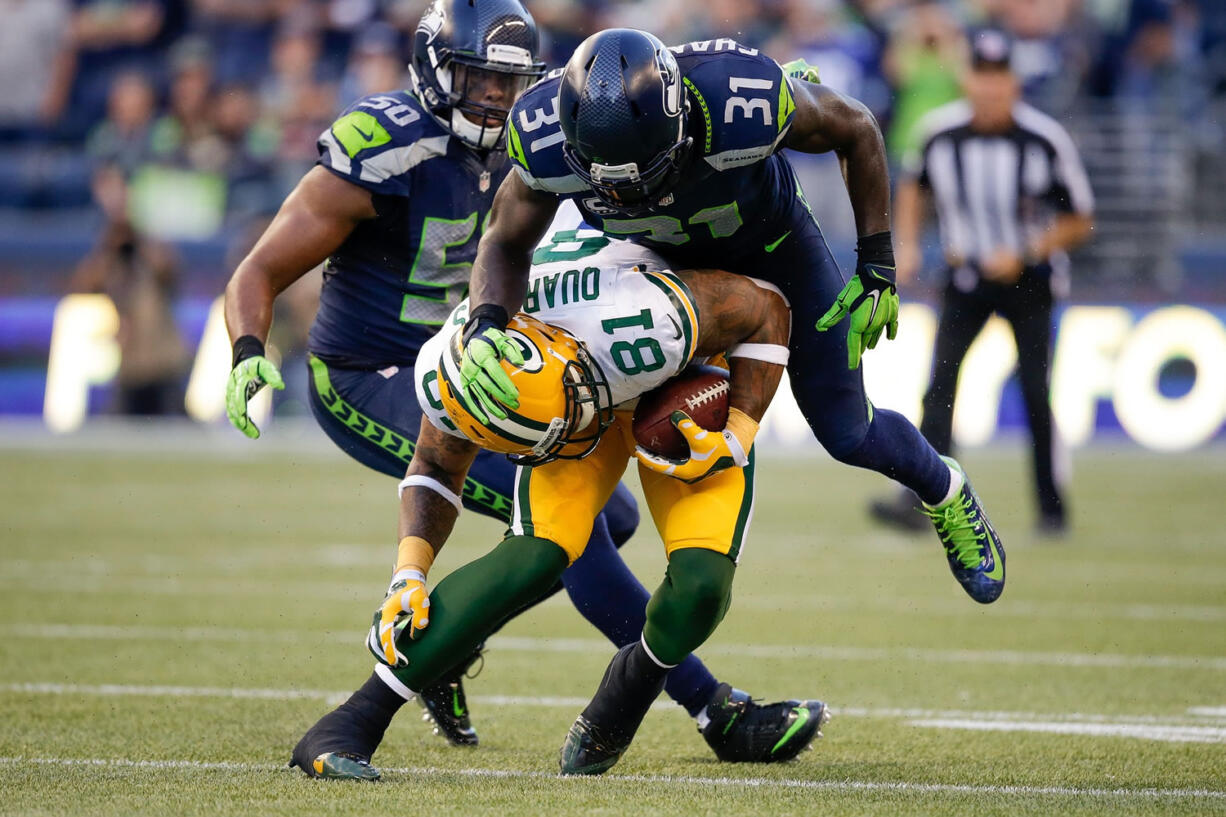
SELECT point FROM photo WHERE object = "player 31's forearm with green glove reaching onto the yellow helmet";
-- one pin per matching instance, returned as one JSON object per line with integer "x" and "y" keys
{"x": 518, "y": 219}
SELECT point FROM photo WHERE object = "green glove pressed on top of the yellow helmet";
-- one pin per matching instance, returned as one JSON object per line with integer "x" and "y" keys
{"x": 482, "y": 377}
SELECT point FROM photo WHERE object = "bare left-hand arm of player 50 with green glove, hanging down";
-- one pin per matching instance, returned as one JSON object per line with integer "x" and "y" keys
{"x": 312, "y": 224}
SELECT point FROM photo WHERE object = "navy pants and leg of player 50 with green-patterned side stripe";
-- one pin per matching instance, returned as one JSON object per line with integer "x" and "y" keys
{"x": 376, "y": 420}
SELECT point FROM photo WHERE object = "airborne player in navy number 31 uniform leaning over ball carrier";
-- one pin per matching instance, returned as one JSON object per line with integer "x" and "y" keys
{"x": 680, "y": 149}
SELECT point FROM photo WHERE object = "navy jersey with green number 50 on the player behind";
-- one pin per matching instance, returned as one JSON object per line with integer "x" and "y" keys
{"x": 397, "y": 278}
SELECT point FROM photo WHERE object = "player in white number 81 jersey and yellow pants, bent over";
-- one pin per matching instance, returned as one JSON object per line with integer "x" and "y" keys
{"x": 596, "y": 332}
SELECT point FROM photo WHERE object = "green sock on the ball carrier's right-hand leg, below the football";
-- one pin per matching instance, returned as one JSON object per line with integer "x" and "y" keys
{"x": 691, "y": 603}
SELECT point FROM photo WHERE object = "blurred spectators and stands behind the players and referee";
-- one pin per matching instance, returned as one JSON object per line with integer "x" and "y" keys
{"x": 144, "y": 144}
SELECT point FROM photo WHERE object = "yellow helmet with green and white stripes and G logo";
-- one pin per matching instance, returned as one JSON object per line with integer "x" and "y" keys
{"x": 565, "y": 399}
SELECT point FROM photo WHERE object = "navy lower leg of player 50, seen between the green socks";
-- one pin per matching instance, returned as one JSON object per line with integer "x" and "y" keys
{"x": 615, "y": 602}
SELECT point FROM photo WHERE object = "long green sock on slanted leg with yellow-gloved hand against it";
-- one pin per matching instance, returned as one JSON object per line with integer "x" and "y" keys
{"x": 475, "y": 600}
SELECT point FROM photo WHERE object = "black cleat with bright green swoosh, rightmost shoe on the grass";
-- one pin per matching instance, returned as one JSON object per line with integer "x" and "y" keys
{"x": 742, "y": 732}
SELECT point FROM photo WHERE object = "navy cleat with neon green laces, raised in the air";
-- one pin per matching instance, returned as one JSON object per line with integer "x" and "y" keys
{"x": 975, "y": 554}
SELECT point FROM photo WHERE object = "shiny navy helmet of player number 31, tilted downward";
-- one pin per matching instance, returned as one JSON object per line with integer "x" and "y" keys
{"x": 623, "y": 112}
